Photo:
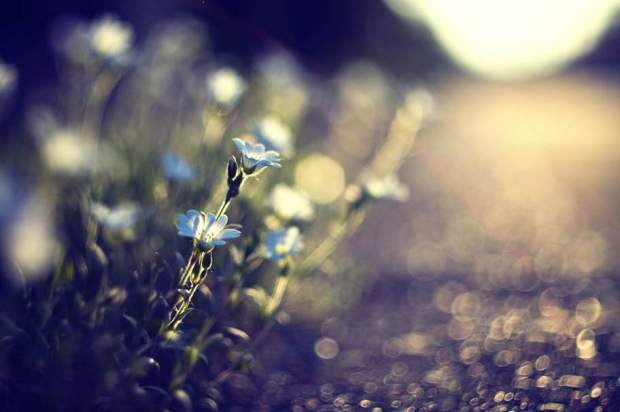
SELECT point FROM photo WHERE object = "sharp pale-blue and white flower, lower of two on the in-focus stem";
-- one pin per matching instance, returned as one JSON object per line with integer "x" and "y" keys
{"x": 205, "y": 228}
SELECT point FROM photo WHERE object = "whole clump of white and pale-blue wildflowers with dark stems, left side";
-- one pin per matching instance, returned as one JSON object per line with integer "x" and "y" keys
{"x": 147, "y": 141}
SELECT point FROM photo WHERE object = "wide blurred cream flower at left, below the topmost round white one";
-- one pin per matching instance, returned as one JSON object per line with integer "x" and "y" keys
{"x": 67, "y": 151}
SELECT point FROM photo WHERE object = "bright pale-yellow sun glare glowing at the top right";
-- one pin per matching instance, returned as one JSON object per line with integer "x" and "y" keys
{"x": 511, "y": 39}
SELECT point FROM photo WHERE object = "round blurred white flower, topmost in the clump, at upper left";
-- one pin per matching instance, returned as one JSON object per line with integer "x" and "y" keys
{"x": 110, "y": 38}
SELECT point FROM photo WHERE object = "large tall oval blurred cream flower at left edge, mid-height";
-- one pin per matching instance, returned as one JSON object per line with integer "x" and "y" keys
{"x": 30, "y": 242}
